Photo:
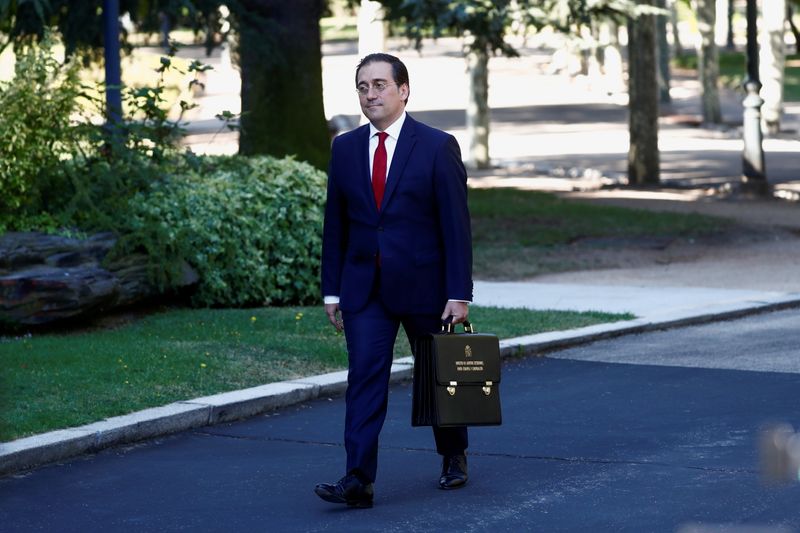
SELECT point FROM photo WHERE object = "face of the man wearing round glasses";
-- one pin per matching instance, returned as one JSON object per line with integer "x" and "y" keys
{"x": 381, "y": 108}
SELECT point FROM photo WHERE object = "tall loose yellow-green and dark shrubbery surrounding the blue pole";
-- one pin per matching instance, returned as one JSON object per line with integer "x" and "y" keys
{"x": 57, "y": 167}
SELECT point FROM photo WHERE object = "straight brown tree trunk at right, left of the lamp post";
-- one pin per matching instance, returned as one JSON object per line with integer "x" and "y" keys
{"x": 643, "y": 156}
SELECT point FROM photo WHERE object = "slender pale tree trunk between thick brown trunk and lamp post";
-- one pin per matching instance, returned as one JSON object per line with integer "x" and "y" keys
{"x": 708, "y": 60}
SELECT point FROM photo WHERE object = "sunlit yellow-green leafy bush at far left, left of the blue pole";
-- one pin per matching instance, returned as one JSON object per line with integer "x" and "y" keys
{"x": 35, "y": 133}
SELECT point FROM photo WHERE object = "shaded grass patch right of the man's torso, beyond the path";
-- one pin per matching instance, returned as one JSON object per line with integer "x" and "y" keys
{"x": 519, "y": 234}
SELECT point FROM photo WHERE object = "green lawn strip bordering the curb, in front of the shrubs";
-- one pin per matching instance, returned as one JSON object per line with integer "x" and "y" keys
{"x": 53, "y": 381}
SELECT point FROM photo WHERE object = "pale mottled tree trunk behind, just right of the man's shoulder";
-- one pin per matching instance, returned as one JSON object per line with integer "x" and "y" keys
{"x": 478, "y": 108}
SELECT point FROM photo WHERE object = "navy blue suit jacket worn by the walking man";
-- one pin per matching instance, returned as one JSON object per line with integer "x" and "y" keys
{"x": 422, "y": 231}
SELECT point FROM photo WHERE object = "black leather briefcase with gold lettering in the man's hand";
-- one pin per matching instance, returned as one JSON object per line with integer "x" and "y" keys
{"x": 456, "y": 379}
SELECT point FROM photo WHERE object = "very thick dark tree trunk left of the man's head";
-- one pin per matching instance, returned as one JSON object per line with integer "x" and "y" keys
{"x": 279, "y": 52}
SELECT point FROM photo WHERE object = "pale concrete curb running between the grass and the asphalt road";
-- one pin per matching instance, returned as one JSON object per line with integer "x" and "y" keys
{"x": 23, "y": 454}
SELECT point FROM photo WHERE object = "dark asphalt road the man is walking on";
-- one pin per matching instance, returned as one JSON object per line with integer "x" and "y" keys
{"x": 654, "y": 432}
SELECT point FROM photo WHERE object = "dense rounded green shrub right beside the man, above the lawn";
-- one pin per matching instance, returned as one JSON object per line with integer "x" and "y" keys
{"x": 251, "y": 227}
